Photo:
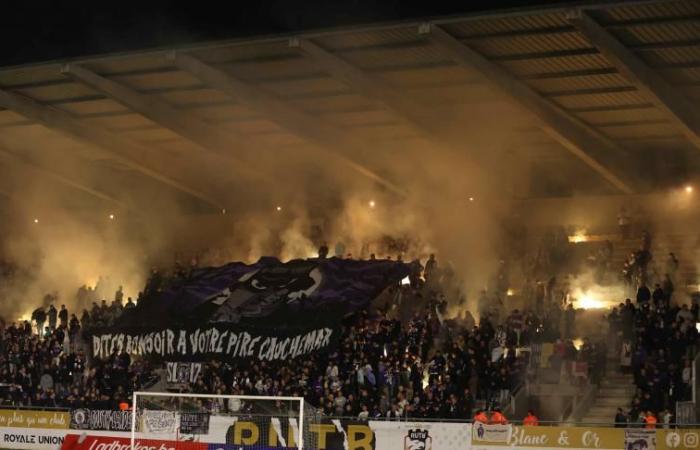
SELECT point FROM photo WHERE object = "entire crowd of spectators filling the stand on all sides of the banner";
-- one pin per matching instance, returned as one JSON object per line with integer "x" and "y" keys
{"x": 408, "y": 357}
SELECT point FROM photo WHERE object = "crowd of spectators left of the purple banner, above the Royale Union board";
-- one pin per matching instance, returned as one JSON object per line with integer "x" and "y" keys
{"x": 51, "y": 369}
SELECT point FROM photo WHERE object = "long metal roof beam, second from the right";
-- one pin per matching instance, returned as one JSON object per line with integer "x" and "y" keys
{"x": 578, "y": 138}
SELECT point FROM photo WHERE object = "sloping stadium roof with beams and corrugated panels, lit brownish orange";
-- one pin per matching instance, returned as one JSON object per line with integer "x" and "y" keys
{"x": 611, "y": 92}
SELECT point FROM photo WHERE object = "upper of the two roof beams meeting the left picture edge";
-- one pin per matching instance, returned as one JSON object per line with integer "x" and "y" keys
{"x": 126, "y": 151}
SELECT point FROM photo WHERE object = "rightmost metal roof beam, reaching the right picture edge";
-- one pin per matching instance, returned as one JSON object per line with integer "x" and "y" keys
{"x": 676, "y": 106}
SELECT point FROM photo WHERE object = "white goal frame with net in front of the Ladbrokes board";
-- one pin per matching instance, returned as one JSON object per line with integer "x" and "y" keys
{"x": 227, "y": 421}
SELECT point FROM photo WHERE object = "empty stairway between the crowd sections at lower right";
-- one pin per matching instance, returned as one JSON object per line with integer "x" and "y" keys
{"x": 616, "y": 391}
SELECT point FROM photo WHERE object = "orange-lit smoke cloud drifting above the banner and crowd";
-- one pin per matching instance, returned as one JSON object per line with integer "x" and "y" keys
{"x": 454, "y": 207}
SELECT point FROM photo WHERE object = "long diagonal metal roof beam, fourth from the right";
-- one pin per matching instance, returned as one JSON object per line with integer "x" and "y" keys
{"x": 297, "y": 121}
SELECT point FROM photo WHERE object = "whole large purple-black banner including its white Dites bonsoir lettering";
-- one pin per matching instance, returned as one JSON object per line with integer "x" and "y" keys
{"x": 267, "y": 311}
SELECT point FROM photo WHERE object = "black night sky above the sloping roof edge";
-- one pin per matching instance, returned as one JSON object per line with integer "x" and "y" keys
{"x": 32, "y": 31}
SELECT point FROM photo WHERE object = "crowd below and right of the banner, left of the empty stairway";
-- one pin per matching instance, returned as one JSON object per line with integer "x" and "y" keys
{"x": 424, "y": 366}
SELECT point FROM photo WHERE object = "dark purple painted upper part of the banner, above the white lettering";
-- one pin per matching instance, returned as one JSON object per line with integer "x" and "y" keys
{"x": 269, "y": 289}
